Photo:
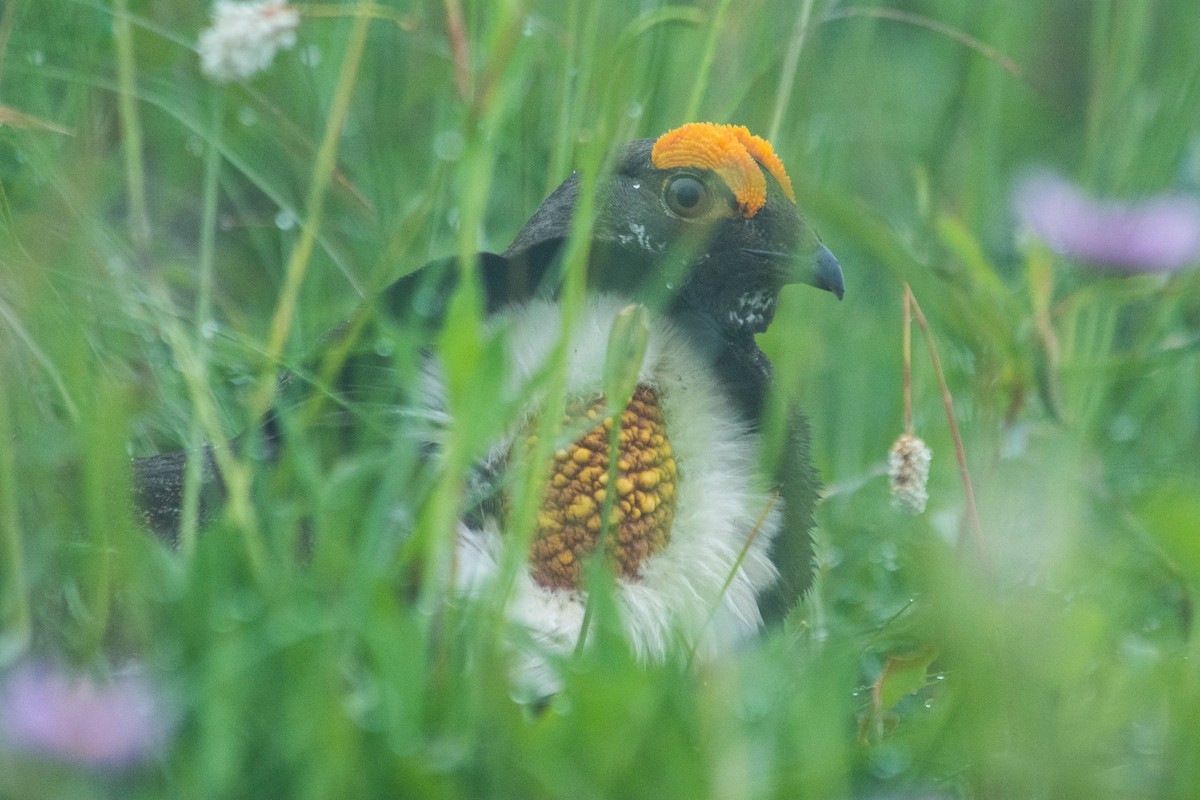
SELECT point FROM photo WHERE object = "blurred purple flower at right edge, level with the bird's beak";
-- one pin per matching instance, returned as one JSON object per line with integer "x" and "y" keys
{"x": 1159, "y": 234}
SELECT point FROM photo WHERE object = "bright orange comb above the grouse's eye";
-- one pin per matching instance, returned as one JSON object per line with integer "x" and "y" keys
{"x": 731, "y": 152}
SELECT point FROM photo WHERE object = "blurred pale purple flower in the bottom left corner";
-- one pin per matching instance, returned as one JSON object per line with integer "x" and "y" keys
{"x": 49, "y": 712}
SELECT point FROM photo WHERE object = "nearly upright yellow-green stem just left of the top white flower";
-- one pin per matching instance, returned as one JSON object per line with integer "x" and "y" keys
{"x": 131, "y": 129}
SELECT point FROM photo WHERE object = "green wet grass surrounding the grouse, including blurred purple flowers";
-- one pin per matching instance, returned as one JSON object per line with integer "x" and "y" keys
{"x": 181, "y": 218}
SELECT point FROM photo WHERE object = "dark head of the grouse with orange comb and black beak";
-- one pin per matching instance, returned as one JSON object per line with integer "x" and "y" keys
{"x": 704, "y": 218}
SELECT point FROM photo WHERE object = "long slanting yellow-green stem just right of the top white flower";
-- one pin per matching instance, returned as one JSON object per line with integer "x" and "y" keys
{"x": 322, "y": 177}
